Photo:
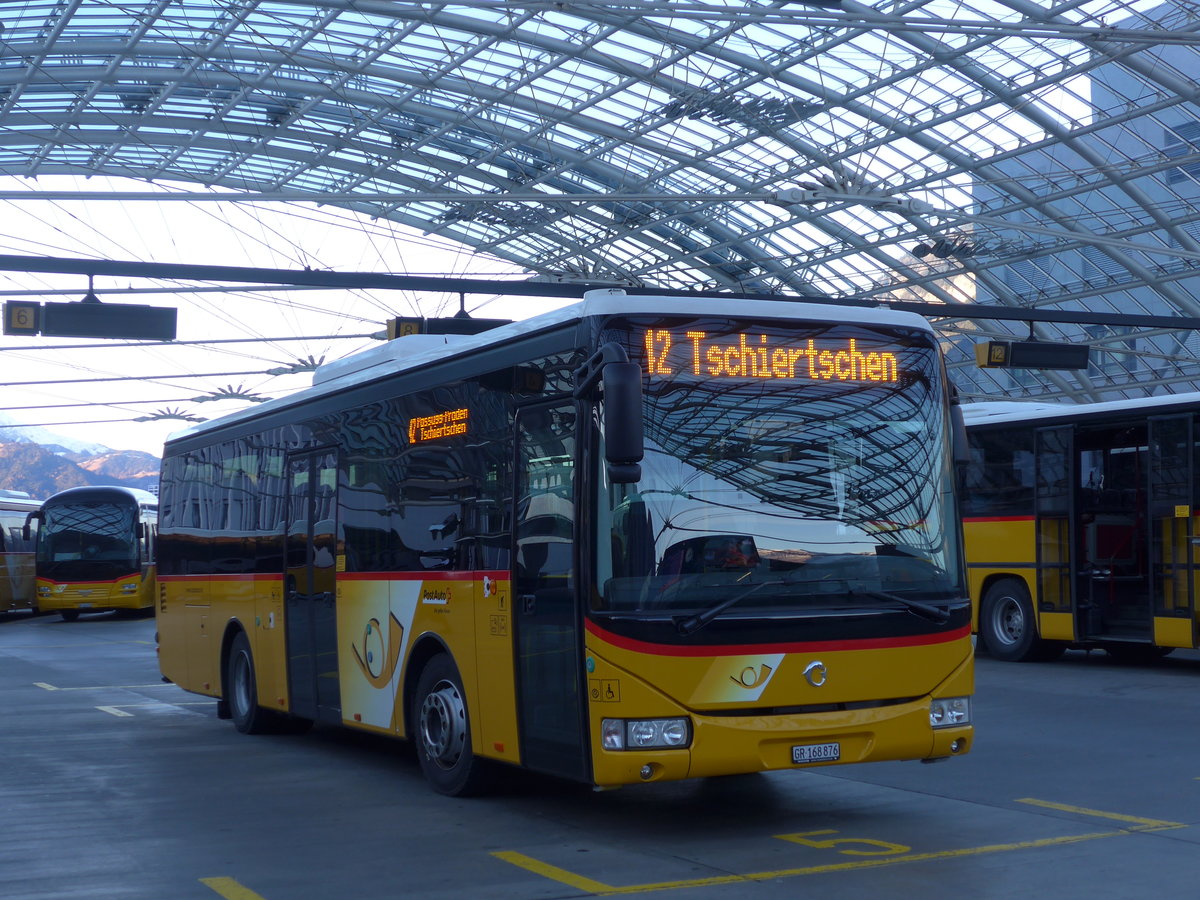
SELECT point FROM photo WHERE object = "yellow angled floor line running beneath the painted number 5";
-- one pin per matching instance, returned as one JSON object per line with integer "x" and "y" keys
{"x": 596, "y": 887}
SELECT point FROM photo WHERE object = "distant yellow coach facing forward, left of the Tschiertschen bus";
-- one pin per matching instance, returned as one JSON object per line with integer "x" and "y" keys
{"x": 97, "y": 550}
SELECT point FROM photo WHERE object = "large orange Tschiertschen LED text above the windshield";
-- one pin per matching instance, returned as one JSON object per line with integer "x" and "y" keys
{"x": 745, "y": 356}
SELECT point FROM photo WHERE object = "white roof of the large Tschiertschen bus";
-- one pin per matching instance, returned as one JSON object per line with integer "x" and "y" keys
{"x": 417, "y": 351}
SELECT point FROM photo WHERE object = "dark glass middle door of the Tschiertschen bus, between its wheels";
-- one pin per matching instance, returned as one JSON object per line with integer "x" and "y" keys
{"x": 310, "y": 590}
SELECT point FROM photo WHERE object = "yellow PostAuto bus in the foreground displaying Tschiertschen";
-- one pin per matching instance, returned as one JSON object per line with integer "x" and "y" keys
{"x": 639, "y": 539}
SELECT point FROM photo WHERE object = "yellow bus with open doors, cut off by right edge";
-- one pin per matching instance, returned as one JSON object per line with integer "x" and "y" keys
{"x": 1079, "y": 526}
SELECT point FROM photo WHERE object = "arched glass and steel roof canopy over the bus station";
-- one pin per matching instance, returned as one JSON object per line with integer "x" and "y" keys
{"x": 1037, "y": 155}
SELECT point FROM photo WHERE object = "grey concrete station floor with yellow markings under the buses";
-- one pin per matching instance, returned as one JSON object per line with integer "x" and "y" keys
{"x": 1084, "y": 782}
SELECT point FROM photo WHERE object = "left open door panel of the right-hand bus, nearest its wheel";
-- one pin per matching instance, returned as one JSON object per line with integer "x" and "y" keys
{"x": 1058, "y": 590}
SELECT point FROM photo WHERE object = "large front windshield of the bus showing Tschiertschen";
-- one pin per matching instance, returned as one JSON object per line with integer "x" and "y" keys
{"x": 788, "y": 469}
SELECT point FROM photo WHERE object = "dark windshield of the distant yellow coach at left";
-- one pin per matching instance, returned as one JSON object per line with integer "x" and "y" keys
{"x": 77, "y": 538}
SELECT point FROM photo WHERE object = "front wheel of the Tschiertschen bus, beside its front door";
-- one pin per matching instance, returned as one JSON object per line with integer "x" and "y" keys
{"x": 442, "y": 731}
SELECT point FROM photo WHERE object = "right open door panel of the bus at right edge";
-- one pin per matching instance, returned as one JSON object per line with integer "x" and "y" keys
{"x": 1172, "y": 556}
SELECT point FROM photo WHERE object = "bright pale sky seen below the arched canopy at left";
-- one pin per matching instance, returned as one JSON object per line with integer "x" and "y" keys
{"x": 94, "y": 392}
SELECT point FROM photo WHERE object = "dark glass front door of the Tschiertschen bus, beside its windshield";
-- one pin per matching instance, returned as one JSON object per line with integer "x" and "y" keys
{"x": 549, "y": 644}
